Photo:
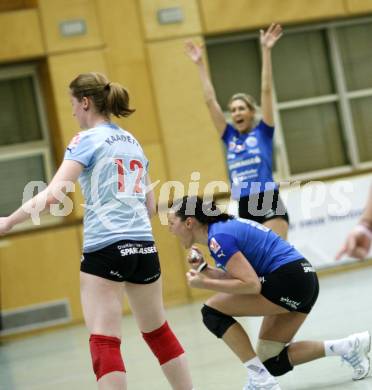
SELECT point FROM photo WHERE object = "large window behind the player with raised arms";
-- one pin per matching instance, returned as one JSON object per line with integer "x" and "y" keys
{"x": 322, "y": 91}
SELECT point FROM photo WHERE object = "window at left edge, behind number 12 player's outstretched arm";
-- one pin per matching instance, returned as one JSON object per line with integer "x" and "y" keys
{"x": 24, "y": 144}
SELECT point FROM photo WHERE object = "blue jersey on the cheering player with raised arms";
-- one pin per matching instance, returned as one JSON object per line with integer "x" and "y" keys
{"x": 249, "y": 160}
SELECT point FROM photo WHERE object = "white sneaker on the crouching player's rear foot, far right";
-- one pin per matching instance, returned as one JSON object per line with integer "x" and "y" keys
{"x": 360, "y": 345}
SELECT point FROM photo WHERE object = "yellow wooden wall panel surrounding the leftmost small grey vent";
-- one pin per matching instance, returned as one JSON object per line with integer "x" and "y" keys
{"x": 54, "y": 12}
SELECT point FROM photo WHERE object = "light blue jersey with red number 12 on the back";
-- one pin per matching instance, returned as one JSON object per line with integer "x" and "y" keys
{"x": 113, "y": 183}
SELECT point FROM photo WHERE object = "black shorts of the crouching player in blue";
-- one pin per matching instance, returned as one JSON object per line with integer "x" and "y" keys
{"x": 293, "y": 286}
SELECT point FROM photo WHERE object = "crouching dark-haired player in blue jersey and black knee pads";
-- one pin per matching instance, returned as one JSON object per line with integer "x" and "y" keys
{"x": 257, "y": 274}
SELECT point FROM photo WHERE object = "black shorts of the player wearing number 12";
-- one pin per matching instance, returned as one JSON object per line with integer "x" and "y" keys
{"x": 124, "y": 261}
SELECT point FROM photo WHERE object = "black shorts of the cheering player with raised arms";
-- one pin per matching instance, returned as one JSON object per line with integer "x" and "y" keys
{"x": 262, "y": 207}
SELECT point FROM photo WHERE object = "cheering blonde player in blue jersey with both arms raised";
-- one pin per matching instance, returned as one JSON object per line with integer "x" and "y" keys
{"x": 249, "y": 141}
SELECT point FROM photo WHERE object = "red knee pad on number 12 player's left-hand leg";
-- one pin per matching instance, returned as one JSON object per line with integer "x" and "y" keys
{"x": 106, "y": 356}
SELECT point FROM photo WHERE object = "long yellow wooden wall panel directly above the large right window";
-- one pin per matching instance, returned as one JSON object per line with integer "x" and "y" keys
{"x": 219, "y": 16}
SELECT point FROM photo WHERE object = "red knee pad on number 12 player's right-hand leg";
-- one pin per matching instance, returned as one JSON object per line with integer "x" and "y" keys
{"x": 163, "y": 343}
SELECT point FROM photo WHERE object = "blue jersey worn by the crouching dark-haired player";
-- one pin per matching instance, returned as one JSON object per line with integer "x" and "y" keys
{"x": 263, "y": 248}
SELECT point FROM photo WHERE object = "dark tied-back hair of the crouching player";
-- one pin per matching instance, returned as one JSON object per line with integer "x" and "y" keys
{"x": 204, "y": 212}
